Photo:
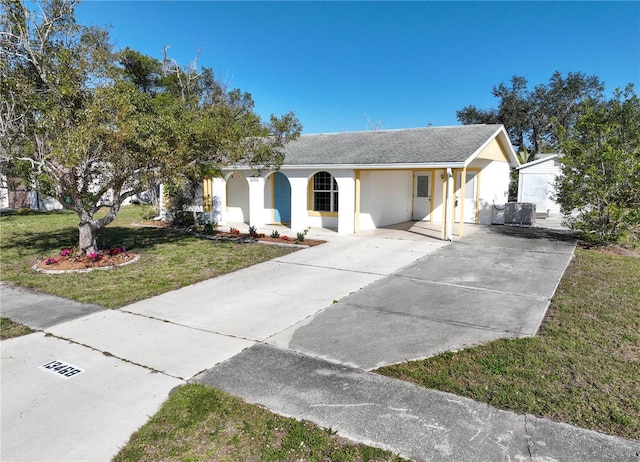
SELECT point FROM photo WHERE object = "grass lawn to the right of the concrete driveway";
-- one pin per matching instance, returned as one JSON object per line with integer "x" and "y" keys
{"x": 583, "y": 368}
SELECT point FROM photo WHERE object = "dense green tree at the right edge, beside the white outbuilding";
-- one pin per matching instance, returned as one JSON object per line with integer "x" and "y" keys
{"x": 600, "y": 179}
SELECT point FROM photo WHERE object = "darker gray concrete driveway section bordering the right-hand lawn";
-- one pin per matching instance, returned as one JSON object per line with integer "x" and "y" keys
{"x": 495, "y": 283}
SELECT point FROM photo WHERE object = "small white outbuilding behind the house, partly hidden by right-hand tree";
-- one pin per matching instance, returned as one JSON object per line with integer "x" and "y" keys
{"x": 536, "y": 184}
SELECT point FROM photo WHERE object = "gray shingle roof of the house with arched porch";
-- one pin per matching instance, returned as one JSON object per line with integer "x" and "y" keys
{"x": 408, "y": 146}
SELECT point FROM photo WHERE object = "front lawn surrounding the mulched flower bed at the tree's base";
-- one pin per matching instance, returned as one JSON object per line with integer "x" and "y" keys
{"x": 170, "y": 259}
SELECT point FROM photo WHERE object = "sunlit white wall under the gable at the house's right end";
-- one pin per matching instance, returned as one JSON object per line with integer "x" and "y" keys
{"x": 493, "y": 187}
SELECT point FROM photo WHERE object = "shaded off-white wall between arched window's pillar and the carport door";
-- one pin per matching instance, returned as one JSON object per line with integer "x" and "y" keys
{"x": 385, "y": 198}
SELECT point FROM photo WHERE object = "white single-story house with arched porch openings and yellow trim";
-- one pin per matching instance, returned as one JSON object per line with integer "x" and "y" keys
{"x": 355, "y": 181}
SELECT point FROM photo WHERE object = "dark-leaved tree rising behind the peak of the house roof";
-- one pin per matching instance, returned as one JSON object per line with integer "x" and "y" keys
{"x": 533, "y": 116}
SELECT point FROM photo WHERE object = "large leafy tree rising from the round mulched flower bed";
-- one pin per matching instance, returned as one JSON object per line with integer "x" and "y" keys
{"x": 79, "y": 121}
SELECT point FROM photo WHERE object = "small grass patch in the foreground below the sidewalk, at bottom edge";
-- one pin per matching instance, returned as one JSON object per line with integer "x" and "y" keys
{"x": 200, "y": 423}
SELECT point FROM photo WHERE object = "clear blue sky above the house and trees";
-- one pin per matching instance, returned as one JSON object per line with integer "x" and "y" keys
{"x": 403, "y": 64}
